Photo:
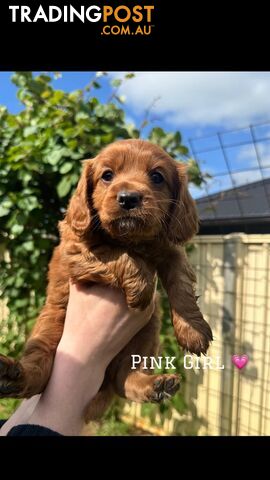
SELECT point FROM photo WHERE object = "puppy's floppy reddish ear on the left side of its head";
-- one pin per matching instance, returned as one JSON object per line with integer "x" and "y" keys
{"x": 78, "y": 214}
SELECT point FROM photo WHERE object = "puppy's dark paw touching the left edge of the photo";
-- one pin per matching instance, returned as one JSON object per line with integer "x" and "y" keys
{"x": 12, "y": 380}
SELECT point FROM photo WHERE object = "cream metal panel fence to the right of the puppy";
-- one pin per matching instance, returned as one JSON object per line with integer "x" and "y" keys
{"x": 233, "y": 279}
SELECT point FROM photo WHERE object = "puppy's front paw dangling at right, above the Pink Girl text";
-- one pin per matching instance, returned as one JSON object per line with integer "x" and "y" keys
{"x": 195, "y": 337}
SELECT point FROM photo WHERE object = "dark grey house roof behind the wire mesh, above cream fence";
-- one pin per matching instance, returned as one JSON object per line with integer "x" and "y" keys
{"x": 245, "y": 204}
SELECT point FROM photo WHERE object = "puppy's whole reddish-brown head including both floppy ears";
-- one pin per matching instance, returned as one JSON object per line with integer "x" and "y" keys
{"x": 136, "y": 191}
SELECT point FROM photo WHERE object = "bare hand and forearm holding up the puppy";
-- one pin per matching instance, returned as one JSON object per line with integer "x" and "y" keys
{"x": 98, "y": 325}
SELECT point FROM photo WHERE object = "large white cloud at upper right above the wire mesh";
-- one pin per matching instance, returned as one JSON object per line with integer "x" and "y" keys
{"x": 201, "y": 98}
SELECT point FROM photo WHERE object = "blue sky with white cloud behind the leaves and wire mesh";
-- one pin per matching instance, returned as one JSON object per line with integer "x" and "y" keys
{"x": 199, "y": 104}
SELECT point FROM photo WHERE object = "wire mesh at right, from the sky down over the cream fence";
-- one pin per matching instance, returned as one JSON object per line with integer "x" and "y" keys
{"x": 233, "y": 279}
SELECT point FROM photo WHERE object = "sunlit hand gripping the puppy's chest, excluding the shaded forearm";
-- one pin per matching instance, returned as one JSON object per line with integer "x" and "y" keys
{"x": 99, "y": 324}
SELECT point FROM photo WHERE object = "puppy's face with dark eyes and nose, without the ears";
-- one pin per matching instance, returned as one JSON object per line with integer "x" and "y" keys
{"x": 132, "y": 190}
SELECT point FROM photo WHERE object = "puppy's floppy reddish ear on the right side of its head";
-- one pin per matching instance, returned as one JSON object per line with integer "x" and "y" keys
{"x": 184, "y": 220}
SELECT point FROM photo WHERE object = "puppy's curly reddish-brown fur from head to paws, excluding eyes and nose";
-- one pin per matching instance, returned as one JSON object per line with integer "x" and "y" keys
{"x": 102, "y": 243}
